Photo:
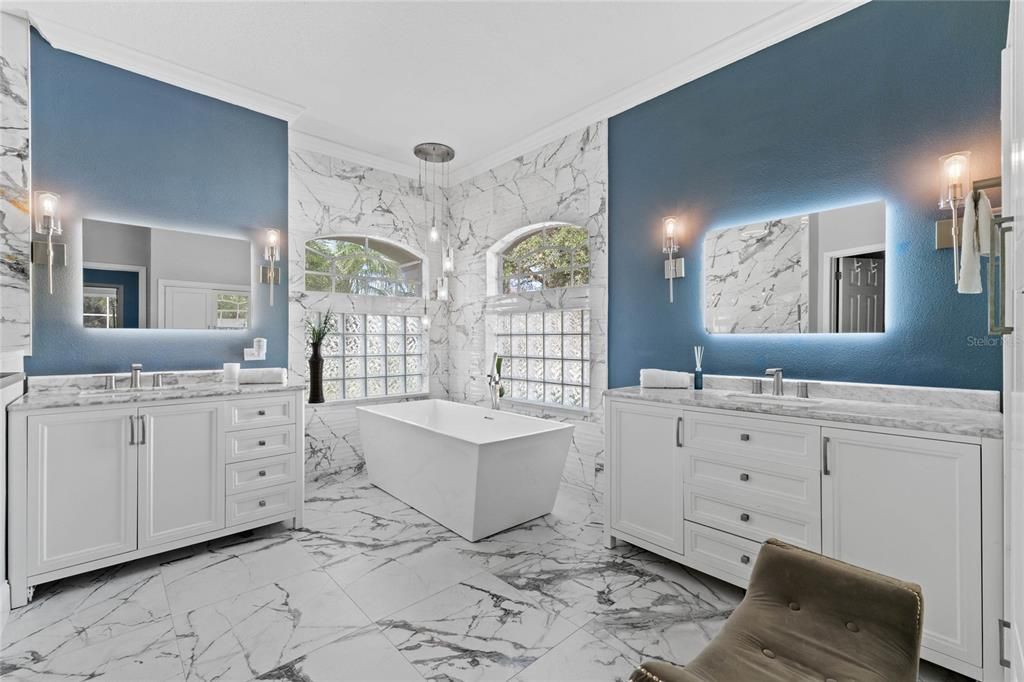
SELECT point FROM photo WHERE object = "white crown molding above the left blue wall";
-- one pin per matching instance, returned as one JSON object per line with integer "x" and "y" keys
{"x": 72, "y": 40}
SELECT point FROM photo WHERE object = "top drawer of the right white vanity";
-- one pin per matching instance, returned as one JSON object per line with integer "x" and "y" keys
{"x": 761, "y": 439}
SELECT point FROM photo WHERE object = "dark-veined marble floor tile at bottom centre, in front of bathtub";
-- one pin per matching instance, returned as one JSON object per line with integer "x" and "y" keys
{"x": 481, "y": 629}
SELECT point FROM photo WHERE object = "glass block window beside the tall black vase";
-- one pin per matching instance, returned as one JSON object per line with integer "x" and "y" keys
{"x": 371, "y": 356}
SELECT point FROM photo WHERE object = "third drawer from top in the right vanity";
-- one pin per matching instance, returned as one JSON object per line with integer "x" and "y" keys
{"x": 750, "y": 518}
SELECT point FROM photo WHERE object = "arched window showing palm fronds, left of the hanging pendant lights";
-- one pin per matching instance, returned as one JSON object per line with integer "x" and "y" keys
{"x": 362, "y": 266}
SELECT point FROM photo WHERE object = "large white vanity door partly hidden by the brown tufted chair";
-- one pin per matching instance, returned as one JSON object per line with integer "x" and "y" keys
{"x": 911, "y": 508}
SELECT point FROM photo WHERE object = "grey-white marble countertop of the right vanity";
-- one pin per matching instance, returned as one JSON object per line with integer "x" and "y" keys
{"x": 955, "y": 421}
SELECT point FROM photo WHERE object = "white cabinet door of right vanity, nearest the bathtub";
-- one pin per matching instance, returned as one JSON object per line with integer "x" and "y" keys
{"x": 647, "y": 474}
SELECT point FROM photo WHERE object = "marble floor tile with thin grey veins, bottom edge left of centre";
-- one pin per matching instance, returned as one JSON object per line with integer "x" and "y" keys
{"x": 254, "y": 632}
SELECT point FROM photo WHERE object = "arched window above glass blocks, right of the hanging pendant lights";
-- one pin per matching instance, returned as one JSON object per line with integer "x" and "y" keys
{"x": 556, "y": 255}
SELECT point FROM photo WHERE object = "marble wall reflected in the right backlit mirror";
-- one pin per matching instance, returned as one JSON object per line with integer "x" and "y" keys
{"x": 757, "y": 278}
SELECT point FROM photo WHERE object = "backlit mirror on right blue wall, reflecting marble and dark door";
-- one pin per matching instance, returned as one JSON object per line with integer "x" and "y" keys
{"x": 817, "y": 273}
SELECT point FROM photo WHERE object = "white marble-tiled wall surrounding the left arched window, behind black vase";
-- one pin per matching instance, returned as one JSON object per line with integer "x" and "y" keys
{"x": 330, "y": 196}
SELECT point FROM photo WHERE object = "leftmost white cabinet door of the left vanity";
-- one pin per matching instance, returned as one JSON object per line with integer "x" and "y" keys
{"x": 81, "y": 488}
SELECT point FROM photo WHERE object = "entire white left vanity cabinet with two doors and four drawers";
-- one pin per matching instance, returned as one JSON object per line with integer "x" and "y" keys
{"x": 91, "y": 487}
